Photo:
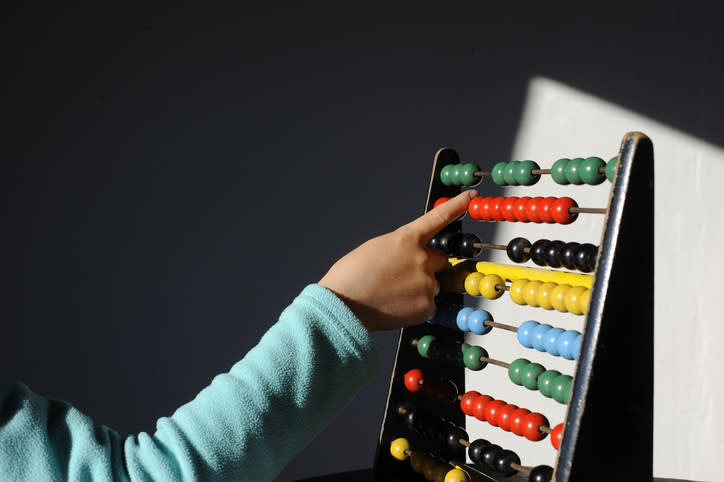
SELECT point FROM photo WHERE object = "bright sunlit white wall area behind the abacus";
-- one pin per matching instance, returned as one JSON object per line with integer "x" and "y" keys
{"x": 559, "y": 121}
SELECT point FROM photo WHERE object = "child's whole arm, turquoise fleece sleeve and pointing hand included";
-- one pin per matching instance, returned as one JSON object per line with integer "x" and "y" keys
{"x": 248, "y": 423}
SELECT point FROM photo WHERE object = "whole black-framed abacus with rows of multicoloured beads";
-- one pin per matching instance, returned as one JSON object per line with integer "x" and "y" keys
{"x": 581, "y": 307}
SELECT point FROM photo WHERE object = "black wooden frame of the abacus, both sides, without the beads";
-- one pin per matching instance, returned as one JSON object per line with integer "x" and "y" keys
{"x": 608, "y": 431}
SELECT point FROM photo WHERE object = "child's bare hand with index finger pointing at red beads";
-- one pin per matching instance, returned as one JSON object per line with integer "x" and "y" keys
{"x": 389, "y": 282}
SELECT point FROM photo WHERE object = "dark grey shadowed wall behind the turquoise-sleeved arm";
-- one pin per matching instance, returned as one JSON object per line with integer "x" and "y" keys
{"x": 172, "y": 177}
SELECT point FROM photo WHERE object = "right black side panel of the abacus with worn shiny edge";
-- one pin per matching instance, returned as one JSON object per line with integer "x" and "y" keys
{"x": 609, "y": 428}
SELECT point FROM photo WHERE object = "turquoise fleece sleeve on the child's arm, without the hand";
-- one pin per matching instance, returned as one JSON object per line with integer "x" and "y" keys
{"x": 246, "y": 425}
